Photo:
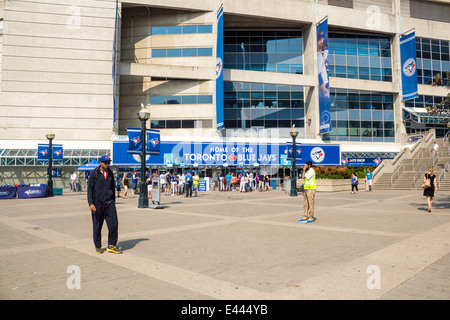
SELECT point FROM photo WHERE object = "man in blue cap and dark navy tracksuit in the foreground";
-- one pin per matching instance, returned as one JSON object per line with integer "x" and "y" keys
{"x": 101, "y": 200}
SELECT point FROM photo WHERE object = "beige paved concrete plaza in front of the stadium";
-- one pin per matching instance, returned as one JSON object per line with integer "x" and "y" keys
{"x": 230, "y": 245}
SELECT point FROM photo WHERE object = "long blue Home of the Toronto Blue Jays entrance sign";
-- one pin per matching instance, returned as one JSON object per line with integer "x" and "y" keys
{"x": 226, "y": 154}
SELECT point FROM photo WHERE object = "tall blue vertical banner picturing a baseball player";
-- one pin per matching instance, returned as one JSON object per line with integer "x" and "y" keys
{"x": 324, "y": 86}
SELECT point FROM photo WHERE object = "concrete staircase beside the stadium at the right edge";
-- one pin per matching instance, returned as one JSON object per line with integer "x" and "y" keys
{"x": 408, "y": 174}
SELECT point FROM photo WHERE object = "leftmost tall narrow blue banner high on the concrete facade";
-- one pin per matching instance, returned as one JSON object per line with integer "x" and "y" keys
{"x": 219, "y": 70}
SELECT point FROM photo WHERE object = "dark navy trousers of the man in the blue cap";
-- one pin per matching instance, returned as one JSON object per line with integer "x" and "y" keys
{"x": 104, "y": 212}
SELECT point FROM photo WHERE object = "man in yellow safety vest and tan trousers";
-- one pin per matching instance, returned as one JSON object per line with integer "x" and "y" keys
{"x": 309, "y": 176}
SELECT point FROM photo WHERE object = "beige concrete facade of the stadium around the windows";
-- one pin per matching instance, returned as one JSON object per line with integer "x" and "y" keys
{"x": 56, "y": 62}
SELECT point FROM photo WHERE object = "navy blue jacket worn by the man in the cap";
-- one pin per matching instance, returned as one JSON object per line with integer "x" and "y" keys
{"x": 103, "y": 191}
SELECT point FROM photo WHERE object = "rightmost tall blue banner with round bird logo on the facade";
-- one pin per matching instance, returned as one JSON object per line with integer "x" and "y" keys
{"x": 409, "y": 66}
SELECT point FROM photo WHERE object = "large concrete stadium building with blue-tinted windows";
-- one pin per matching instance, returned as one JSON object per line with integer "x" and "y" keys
{"x": 81, "y": 70}
